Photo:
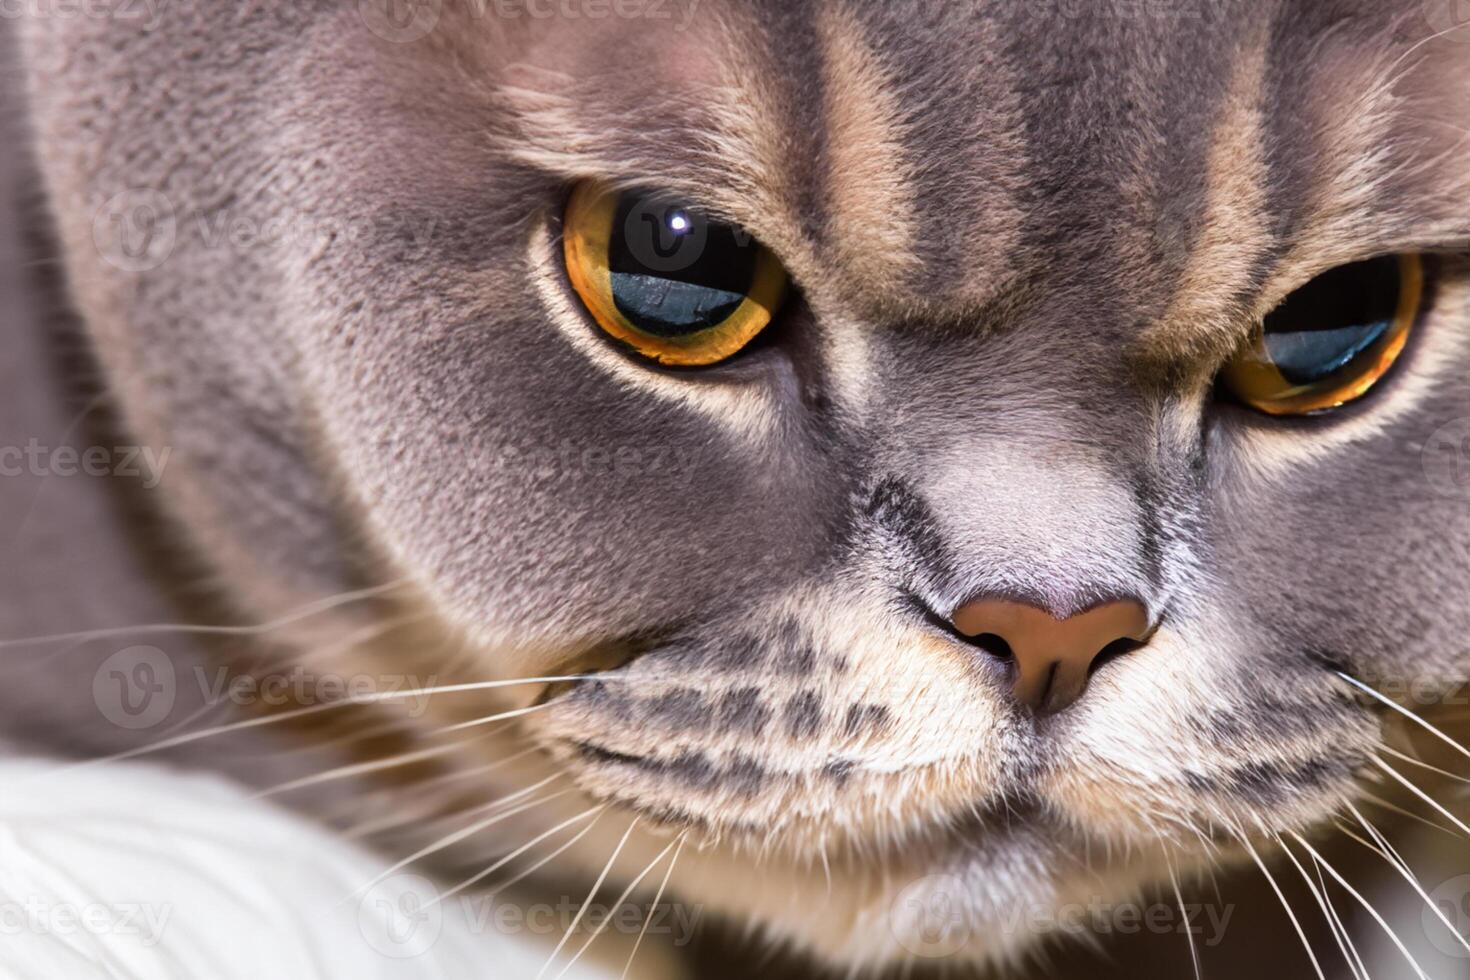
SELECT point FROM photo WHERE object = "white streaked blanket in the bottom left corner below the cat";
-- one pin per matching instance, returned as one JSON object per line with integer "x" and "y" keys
{"x": 140, "y": 873}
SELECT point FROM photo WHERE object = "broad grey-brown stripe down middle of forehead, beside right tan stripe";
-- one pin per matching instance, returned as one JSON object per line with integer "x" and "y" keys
{"x": 1118, "y": 140}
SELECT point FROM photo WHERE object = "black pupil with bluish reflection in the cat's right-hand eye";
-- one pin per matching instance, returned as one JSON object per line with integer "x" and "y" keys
{"x": 1333, "y": 320}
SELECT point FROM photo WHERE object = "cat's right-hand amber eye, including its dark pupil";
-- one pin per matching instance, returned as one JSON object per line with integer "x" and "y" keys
{"x": 1333, "y": 340}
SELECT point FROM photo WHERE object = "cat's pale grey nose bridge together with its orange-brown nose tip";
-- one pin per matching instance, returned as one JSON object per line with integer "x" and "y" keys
{"x": 1039, "y": 489}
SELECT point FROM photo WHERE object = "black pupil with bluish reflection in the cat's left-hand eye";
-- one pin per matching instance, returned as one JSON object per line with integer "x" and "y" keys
{"x": 675, "y": 273}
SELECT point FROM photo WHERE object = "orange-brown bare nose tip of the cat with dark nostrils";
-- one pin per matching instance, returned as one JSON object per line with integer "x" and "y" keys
{"x": 1055, "y": 657}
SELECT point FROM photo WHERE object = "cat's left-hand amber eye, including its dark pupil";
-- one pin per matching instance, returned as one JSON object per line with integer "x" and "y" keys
{"x": 659, "y": 277}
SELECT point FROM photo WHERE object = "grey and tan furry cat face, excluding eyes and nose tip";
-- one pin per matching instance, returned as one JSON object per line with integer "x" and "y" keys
{"x": 1022, "y": 245}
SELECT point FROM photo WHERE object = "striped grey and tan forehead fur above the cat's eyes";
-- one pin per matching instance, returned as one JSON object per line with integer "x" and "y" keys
{"x": 943, "y": 164}
